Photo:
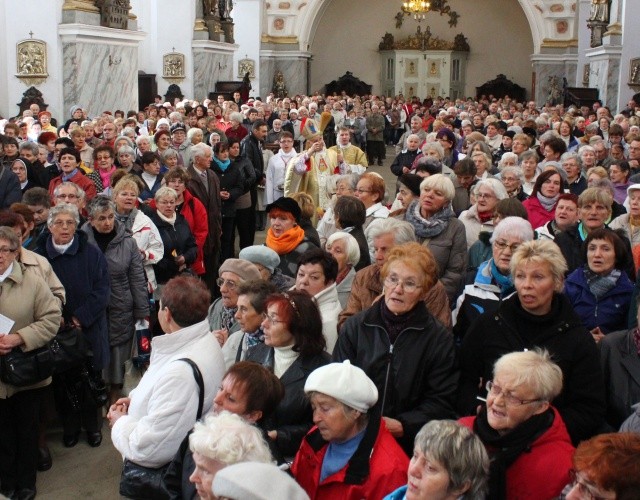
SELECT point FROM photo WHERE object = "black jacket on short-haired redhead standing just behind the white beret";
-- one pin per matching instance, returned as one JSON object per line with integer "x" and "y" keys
{"x": 416, "y": 378}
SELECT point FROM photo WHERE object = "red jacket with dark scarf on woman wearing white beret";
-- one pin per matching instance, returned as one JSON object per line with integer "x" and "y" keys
{"x": 386, "y": 471}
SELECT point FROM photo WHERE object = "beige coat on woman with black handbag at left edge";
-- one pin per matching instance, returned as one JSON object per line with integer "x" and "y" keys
{"x": 28, "y": 301}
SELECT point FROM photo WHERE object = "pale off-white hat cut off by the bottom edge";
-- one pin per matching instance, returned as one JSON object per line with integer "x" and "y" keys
{"x": 256, "y": 481}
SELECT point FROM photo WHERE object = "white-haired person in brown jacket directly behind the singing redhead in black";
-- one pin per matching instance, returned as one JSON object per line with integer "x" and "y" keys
{"x": 383, "y": 235}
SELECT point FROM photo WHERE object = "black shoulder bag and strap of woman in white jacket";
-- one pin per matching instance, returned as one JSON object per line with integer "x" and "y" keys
{"x": 144, "y": 483}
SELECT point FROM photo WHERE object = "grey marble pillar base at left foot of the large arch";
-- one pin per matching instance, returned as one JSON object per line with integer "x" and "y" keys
{"x": 293, "y": 66}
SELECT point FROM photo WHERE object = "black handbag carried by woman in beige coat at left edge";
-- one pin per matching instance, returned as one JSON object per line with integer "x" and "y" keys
{"x": 67, "y": 349}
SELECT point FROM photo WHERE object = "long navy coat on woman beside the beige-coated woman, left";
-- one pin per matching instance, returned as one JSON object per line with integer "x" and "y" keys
{"x": 83, "y": 271}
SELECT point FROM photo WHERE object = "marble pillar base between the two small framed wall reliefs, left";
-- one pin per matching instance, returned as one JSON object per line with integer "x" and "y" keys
{"x": 212, "y": 61}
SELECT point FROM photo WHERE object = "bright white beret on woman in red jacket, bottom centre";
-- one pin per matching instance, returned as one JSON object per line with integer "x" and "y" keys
{"x": 344, "y": 382}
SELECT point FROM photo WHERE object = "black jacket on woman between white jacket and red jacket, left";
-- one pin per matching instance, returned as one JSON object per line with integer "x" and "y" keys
{"x": 177, "y": 240}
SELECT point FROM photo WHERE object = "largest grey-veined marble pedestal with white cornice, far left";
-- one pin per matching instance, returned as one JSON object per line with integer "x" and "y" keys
{"x": 100, "y": 67}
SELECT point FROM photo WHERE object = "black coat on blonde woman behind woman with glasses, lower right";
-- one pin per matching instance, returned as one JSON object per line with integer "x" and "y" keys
{"x": 582, "y": 400}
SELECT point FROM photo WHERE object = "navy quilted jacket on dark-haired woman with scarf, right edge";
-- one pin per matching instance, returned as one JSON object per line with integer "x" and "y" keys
{"x": 610, "y": 312}
